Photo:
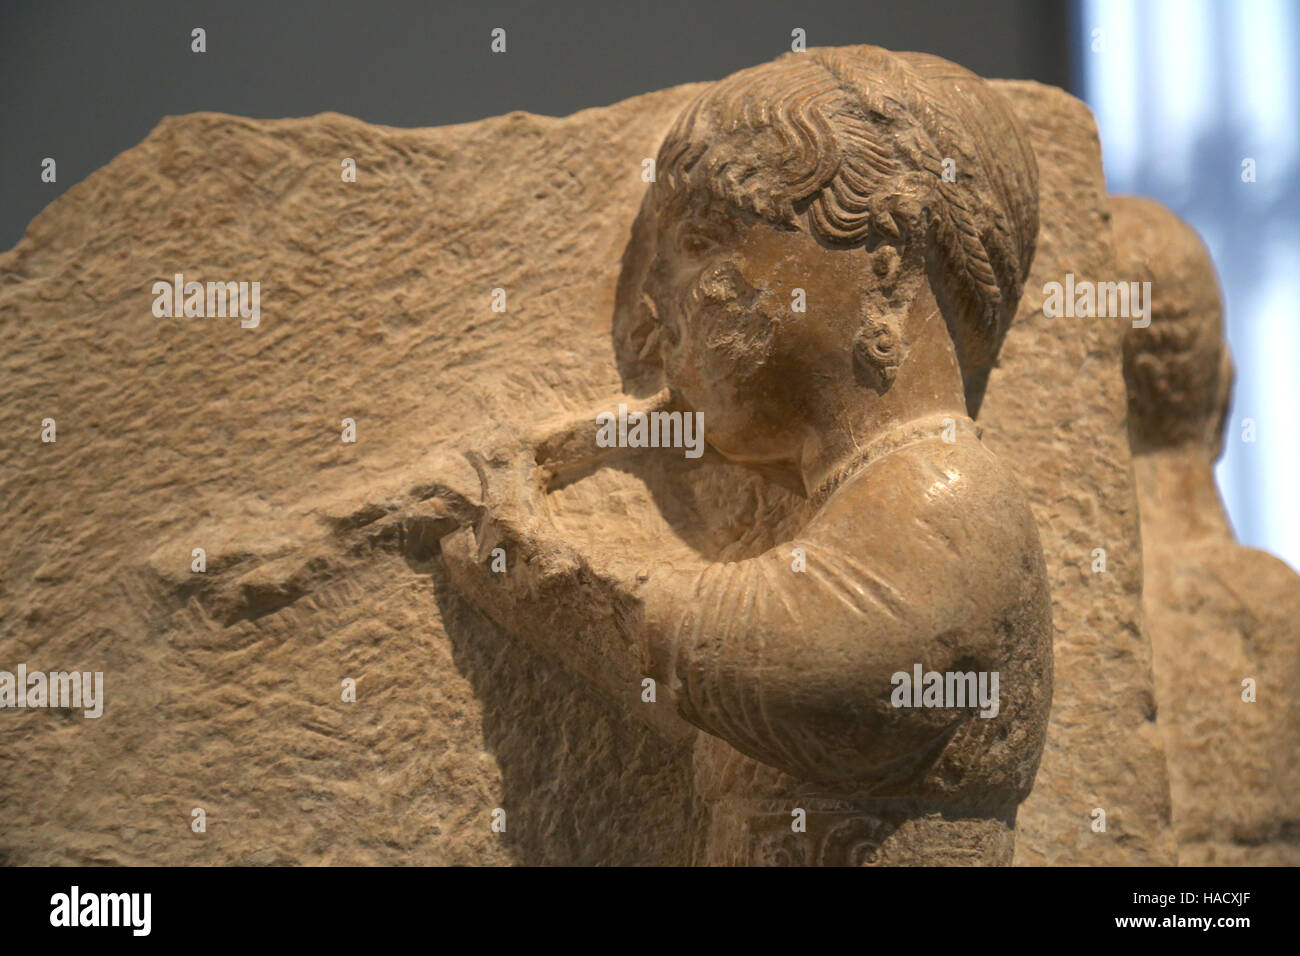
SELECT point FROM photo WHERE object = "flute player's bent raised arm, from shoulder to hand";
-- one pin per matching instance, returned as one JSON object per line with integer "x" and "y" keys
{"x": 929, "y": 557}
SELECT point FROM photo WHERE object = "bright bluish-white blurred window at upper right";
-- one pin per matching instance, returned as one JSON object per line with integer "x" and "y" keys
{"x": 1189, "y": 96}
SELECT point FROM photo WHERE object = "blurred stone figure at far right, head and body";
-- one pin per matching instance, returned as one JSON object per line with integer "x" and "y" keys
{"x": 1221, "y": 616}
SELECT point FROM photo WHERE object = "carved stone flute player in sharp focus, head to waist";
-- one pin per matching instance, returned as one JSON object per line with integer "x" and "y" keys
{"x": 820, "y": 178}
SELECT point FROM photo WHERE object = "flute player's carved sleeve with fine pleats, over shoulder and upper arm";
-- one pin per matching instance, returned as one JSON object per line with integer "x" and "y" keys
{"x": 925, "y": 556}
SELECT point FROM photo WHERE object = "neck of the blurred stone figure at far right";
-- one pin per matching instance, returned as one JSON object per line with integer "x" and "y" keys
{"x": 1178, "y": 498}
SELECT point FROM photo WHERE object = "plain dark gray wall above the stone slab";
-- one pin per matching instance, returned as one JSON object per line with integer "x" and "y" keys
{"x": 83, "y": 83}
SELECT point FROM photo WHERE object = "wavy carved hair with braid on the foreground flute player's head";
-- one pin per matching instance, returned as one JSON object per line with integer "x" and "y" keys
{"x": 852, "y": 144}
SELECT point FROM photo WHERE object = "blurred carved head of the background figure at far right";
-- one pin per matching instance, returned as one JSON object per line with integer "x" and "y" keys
{"x": 1178, "y": 370}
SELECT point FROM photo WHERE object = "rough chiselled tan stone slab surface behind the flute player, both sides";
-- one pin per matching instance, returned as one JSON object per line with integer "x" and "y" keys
{"x": 177, "y": 434}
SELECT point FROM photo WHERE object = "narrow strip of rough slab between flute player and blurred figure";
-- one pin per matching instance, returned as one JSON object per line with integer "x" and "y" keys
{"x": 1056, "y": 412}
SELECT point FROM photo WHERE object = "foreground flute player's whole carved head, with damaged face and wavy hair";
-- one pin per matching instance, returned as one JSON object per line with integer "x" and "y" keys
{"x": 896, "y": 191}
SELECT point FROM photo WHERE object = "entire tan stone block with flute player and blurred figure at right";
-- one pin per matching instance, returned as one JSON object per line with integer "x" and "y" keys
{"x": 692, "y": 555}
